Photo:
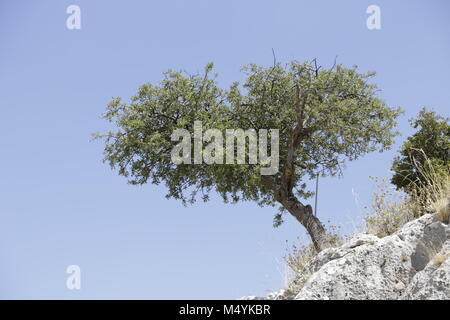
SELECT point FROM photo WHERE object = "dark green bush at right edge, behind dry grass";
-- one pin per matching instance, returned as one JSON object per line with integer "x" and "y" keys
{"x": 430, "y": 145}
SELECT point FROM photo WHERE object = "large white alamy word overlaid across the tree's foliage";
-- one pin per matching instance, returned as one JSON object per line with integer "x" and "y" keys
{"x": 214, "y": 151}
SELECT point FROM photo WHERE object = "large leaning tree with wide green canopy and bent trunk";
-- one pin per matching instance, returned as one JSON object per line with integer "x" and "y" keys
{"x": 324, "y": 117}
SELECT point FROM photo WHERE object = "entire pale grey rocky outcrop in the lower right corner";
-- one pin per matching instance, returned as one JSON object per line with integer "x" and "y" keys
{"x": 413, "y": 263}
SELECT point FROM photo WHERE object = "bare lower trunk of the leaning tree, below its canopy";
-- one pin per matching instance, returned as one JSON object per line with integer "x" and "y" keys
{"x": 304, "y": 215}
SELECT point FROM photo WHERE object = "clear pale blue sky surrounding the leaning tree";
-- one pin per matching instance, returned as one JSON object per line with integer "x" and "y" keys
{"x": 60, "y": 205}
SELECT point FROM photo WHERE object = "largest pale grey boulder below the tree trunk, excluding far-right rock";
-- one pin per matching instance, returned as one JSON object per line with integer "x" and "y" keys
{"x": 368, "y": 267}
